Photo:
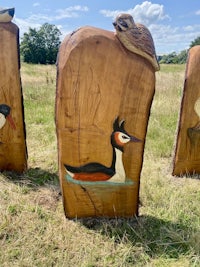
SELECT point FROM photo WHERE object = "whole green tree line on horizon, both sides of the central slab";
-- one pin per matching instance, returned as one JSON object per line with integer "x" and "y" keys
{"x": 41, "y": 47}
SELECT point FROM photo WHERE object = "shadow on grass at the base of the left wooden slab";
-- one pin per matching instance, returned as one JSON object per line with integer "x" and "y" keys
{"x": 33, "y": 177}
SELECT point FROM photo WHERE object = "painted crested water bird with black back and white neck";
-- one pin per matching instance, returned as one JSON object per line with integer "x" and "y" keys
{"x": 98, "y": 172}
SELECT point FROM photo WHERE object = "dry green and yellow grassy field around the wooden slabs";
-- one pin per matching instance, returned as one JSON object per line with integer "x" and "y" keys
{"x": 33, "y": 228}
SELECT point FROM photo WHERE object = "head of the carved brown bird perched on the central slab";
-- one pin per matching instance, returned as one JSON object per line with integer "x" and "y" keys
{"x": 124, "y": 22}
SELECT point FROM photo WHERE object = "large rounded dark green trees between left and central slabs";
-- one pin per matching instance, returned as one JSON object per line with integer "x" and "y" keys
{"x": 41, "y": 46}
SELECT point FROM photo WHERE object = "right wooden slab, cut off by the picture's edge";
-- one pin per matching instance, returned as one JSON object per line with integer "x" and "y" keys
{"x": 187, "y": 150}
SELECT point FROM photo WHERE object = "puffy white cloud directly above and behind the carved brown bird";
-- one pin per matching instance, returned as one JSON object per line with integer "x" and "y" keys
{"x": 146, "y": 13}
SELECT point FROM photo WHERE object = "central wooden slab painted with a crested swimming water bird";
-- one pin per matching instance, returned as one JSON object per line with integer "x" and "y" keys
{"x": 104, "y": 94}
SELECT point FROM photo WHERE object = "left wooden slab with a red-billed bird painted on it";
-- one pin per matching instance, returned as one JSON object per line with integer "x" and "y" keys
{"x": 13, "y": 154}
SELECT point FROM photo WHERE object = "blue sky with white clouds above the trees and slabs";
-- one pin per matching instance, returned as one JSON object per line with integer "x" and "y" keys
{"x": 174, "y": 24}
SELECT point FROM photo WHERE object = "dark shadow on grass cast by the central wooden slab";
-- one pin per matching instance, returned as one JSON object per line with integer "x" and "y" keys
{"x": 150, "y": 236}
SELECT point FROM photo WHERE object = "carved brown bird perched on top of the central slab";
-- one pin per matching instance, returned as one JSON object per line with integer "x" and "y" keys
{"x": 136, "y": 38}
